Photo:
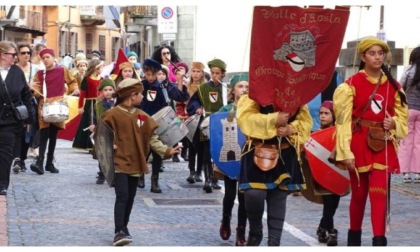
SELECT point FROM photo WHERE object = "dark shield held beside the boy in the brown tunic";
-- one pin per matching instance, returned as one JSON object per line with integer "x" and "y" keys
{"x": 104, "y": 146}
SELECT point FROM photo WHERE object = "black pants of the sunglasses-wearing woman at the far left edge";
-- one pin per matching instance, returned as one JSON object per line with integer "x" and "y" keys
{"x": 8, "y": 136}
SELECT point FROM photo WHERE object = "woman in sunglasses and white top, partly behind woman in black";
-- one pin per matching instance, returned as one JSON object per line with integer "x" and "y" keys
{"x": 27, "y": 140}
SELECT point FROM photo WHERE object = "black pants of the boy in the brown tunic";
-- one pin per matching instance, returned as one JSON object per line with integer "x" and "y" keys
{"x": 125, "y": 191}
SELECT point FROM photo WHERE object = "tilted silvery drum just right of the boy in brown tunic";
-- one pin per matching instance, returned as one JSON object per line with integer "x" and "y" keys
{"x": 170, "y": 130}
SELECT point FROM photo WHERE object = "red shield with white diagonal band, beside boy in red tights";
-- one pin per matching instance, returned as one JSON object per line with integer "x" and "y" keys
{"x": 318, "y": 148}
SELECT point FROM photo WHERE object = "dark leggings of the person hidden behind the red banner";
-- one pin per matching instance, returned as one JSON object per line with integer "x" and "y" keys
{"x": 276, "y": 212}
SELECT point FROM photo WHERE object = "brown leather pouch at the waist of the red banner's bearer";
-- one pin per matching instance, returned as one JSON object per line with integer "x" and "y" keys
{"x": 266, "y": 156}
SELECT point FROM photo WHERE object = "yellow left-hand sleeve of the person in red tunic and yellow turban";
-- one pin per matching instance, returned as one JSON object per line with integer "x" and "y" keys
{"x": 343, "y": 105}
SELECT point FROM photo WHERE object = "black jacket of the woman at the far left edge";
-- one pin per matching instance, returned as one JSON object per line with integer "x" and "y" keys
{"x": 19, "y": 93}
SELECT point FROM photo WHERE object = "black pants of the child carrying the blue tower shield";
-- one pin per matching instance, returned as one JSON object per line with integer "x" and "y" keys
{"x": 231, "y": 189}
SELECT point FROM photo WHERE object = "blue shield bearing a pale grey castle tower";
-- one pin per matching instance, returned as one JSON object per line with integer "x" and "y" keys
{"x": 226, "y": 140}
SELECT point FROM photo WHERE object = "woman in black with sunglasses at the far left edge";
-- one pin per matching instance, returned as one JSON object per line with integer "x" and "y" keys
{"x": 14, "y": 91}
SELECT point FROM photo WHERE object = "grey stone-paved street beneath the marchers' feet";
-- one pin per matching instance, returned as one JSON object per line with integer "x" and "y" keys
{"x": 69, "y": 209}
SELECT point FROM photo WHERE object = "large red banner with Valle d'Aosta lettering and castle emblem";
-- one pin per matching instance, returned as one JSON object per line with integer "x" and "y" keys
{"x": 293, "y": 53}
